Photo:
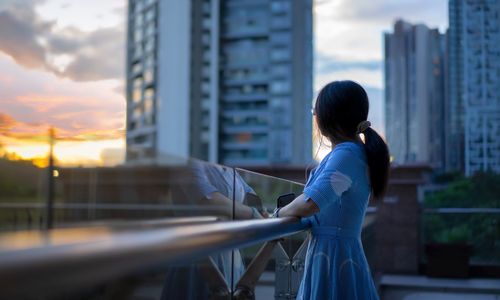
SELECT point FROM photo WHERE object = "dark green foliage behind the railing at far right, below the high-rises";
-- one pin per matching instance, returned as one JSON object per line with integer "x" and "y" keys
{"x": 480, "y": 230}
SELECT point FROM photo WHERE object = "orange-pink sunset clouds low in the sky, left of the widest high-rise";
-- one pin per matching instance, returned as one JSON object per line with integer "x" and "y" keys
{"x": 32, "y": 101}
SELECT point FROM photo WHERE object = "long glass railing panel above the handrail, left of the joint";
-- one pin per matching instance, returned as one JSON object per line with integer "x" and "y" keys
{"x": 156, "y": 188}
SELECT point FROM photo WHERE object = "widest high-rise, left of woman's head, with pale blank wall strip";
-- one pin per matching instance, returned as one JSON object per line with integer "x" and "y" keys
{"x": 227, "y": 81}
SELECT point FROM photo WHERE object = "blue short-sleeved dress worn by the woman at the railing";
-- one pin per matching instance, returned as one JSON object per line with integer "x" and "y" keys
{"x": 336, "y": 266}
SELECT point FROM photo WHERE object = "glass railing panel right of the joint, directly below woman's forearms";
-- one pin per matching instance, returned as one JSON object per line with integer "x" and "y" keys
{"x": 273, "y": 268}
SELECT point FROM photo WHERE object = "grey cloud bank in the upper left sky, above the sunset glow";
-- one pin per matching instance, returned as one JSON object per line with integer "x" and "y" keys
{"x": 38, "y": 44}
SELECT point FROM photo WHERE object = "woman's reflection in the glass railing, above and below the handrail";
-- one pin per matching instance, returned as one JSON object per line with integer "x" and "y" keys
{"x": 225, "y": 189}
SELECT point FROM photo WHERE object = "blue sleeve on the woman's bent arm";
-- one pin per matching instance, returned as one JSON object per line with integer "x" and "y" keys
{"x": 333, "y": 180}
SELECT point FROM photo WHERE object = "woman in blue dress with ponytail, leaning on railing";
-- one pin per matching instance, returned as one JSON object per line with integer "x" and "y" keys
{"x": 336, "y": 196}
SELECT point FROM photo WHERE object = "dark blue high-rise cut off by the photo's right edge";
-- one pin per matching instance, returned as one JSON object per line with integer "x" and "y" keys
{"x": 473, "y": 82}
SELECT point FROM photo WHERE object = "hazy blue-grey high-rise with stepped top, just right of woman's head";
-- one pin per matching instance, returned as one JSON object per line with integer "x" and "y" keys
{"x": 414, "y": 94}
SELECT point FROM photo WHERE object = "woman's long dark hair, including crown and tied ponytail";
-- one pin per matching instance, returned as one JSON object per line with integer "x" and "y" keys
{"x": 340, "y": 107}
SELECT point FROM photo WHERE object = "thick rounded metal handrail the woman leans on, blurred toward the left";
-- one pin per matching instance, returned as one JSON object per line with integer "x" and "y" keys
{"x": 56, "y": 261}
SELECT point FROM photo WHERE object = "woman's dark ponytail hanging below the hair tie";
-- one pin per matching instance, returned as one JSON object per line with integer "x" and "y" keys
{"x": 377, "y": 154}
